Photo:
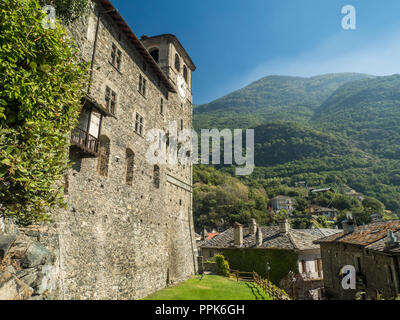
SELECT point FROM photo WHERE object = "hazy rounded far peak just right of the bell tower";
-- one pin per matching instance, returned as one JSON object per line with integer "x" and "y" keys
{"x": 271, "y": 98}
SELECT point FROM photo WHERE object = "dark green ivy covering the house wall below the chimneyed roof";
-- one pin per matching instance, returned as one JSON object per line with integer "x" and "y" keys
{"x": 249, "y": 260}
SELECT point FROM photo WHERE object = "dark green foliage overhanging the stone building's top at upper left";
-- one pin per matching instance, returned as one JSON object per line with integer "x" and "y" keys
{"x": 68, "y": 10}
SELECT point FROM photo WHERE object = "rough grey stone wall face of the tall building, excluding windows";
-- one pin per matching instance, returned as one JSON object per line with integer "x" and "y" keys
{"x": 113, "y": 240}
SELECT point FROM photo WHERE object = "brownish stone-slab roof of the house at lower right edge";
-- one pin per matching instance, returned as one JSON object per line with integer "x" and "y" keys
{"x": 366, "y": 235}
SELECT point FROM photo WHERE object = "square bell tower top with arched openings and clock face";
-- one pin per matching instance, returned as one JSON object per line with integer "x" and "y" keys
{"x": 173, "y": 60}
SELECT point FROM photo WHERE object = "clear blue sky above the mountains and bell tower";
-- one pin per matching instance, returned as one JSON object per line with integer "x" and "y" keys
{"x": 236, "y": 42}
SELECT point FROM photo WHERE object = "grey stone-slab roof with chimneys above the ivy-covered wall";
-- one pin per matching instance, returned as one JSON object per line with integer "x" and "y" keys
{"x": 272, "y": 238}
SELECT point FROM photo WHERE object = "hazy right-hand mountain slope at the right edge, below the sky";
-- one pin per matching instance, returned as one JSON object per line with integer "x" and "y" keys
{"x": 366, "y": 111}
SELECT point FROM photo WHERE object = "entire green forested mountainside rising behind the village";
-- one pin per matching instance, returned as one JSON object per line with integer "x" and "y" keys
{"x": 333, "y": 130}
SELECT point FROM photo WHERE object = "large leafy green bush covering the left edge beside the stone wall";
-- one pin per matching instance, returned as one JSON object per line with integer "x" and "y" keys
{"x": 42, "y": 82}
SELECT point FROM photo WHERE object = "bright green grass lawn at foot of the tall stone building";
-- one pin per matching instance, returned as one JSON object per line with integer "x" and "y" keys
{"x": 211, "y": 287}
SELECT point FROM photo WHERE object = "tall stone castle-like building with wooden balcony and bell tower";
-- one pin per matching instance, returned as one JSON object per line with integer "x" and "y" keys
{"x": 128, "y": 227}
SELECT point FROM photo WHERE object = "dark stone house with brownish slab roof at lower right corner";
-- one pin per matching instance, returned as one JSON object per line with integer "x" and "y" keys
{"x": 373, "y": 250}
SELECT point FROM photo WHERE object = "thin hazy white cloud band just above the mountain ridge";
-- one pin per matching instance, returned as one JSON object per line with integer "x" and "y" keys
{"x": 341, "y": 53}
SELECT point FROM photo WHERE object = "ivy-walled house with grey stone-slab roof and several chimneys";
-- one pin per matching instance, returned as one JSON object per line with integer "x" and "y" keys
{"x": 249, "y": 249}
